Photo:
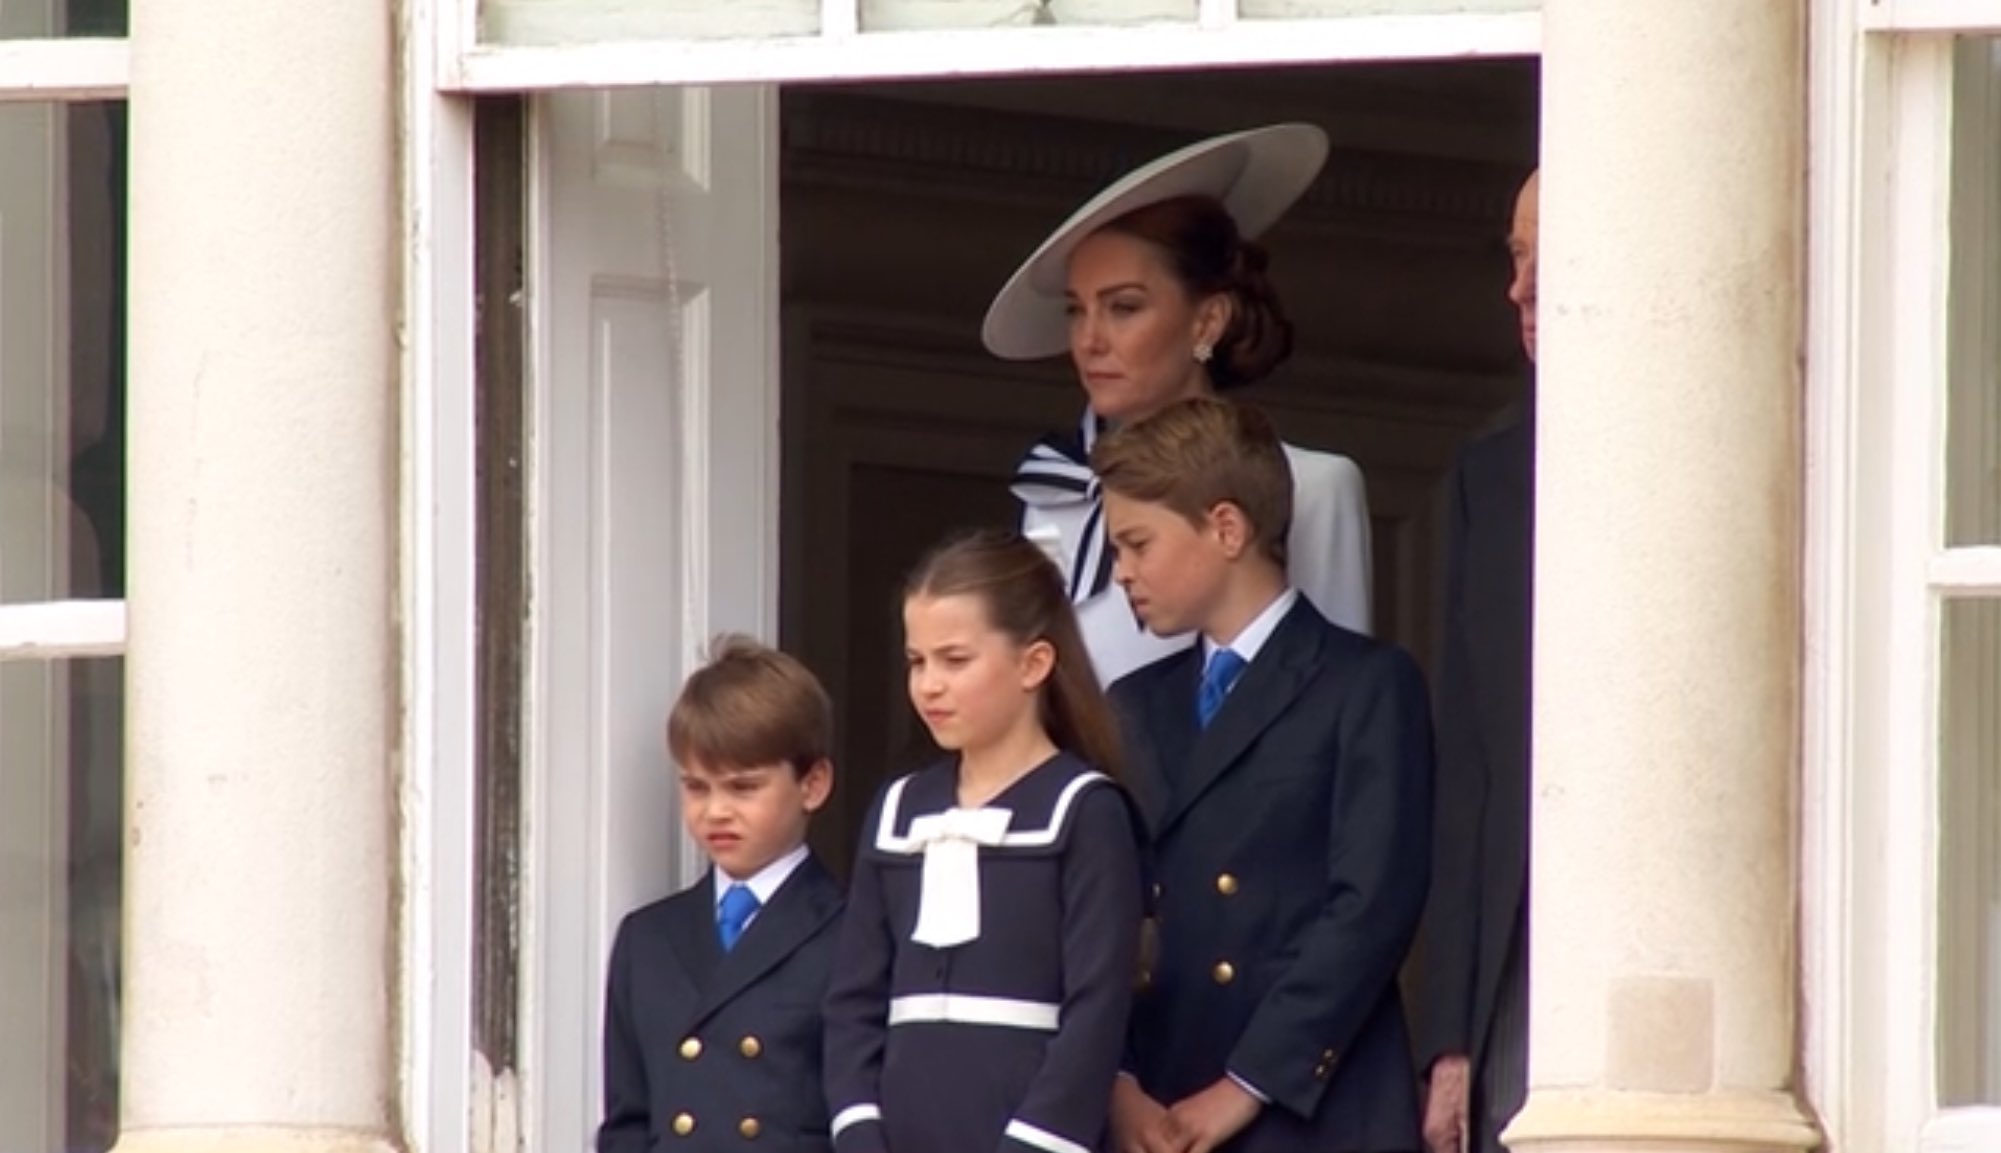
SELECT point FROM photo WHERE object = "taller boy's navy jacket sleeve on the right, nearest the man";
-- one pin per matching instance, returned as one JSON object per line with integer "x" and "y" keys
{"x": 1378, "y": 870}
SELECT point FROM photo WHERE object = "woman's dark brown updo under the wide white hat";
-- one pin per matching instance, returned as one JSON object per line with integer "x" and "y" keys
{"x": 1208, "y": 255}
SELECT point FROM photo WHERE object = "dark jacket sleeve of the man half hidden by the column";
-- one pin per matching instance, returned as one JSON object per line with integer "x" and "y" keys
{"x": 1452, "y": 918}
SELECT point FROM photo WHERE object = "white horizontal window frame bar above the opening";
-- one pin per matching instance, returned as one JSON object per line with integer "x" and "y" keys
{"x": 843, "y": 53}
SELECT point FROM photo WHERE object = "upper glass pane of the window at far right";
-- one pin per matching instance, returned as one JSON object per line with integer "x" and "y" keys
{"x": 1974, "y": 399}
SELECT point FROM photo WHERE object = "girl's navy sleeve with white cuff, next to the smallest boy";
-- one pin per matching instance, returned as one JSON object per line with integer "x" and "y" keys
{"x": 857, "y": 1010}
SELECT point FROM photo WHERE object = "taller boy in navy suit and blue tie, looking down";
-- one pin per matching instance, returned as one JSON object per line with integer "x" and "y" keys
{"x": 1286, "y": 772}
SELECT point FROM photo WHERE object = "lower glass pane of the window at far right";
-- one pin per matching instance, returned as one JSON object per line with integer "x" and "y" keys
{"x": 1970, "y": 856}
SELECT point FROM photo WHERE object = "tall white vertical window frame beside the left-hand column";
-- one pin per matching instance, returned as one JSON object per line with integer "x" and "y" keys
{"x": 439, "y": 594}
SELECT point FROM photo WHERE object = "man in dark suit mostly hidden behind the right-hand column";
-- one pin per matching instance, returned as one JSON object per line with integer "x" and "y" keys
{"x": 1474, "y": 988}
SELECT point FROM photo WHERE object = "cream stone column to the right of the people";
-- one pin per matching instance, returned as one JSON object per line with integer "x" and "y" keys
{"x": 1664, "y": 968}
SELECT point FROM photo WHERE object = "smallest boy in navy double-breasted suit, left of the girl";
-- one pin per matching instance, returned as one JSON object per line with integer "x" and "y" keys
{"x": 713, "y": 1004}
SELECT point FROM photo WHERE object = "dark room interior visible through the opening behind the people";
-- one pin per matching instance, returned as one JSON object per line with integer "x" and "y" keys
{"x": 905, "y": 207}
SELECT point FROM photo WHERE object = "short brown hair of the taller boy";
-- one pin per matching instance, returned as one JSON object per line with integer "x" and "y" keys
{"x": 1200, "y": 453}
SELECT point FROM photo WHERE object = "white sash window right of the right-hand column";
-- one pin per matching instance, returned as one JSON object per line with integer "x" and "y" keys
{"x": 1904, "y": 806}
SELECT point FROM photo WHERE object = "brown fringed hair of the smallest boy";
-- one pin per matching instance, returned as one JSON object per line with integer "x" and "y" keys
{"x": 751, "y": 706}
